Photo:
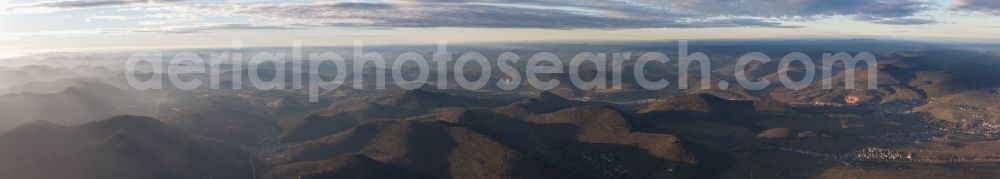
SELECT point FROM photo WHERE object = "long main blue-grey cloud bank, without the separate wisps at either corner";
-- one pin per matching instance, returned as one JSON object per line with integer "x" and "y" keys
{"x": 589, "y": 14}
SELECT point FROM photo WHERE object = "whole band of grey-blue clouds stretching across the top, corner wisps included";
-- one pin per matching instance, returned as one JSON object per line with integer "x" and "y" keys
{"x": 547, "y": 14}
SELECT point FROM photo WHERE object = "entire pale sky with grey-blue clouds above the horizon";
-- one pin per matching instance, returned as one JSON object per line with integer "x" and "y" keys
{"x": 32, "y": 26}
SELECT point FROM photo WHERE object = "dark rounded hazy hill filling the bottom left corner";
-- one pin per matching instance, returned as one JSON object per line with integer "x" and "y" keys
{"x": 120, "y": 147}
